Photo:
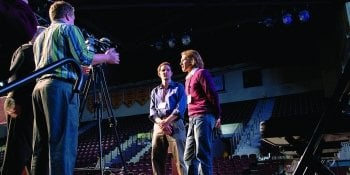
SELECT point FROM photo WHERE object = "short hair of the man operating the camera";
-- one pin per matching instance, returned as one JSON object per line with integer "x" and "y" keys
{"x": 59, "y": 9}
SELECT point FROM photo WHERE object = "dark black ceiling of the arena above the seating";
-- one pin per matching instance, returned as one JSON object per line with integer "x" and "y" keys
{"x": 225, "y": 32}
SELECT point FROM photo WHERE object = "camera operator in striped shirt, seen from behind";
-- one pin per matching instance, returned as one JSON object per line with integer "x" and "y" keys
{"x": 56, "y": 106}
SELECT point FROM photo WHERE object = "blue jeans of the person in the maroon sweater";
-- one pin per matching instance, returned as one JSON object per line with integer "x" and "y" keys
{"x": 198, "y": 150}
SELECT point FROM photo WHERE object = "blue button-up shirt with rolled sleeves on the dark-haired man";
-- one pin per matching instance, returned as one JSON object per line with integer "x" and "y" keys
{"x": 173, "y": 98}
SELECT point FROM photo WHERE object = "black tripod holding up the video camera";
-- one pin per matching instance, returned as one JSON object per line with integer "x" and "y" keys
{"x": 101, "y": 100}
